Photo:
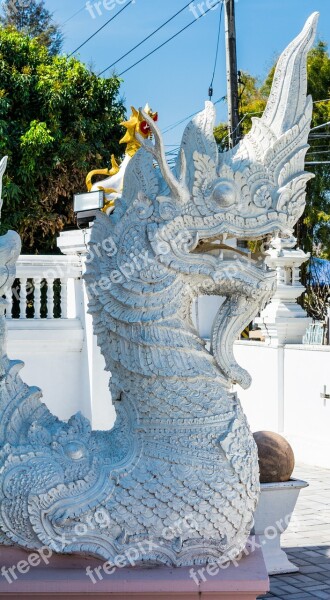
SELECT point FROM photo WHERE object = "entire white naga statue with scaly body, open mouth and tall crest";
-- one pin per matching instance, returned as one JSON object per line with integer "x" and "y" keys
{"x": 178, "y": 474}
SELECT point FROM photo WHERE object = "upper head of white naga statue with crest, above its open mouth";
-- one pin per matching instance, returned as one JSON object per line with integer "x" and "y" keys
{"x": 256, "y": 189}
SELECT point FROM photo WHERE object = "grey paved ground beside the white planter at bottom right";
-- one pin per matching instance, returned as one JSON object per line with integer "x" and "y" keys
{"x": 307, "y": 541}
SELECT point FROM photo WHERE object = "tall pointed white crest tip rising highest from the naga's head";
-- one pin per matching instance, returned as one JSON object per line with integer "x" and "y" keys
{"x": 287, "y": 100}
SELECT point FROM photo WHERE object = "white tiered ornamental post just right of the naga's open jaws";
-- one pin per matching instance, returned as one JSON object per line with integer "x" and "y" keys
{"x": 284, "y": 321}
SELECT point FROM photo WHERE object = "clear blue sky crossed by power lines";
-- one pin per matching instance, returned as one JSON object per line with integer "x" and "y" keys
{"x": 175, "y": 80}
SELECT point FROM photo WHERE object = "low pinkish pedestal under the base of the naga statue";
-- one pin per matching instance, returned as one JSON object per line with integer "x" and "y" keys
{"x": 66, "y": 577}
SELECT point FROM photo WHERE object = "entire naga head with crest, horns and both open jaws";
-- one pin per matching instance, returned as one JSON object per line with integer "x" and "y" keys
{"x": 254, "y": 191}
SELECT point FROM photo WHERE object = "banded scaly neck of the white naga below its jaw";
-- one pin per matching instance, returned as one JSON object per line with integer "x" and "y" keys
{"x": 155, "y": 348}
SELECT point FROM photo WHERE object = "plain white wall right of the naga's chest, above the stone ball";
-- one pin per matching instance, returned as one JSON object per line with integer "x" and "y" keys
{"x": 285, "y": 395}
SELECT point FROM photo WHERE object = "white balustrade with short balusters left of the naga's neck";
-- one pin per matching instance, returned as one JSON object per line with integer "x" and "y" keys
{"x": 44, "y": 287}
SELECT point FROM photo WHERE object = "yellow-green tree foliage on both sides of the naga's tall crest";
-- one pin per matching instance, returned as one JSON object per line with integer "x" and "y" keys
{"x": 313, "y": 229}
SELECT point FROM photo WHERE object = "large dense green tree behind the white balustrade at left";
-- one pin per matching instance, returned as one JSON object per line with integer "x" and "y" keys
{"x": 57, "y": 122}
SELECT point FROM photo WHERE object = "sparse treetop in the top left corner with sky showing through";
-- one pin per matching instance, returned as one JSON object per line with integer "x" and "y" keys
{"x": 32, "y": 18}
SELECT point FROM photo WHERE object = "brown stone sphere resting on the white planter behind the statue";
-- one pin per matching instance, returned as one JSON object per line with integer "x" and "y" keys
{"x": 276, "y": 457}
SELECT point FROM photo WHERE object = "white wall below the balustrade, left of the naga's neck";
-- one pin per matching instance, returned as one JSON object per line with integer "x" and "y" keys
{"x": 62, "y": 358}
